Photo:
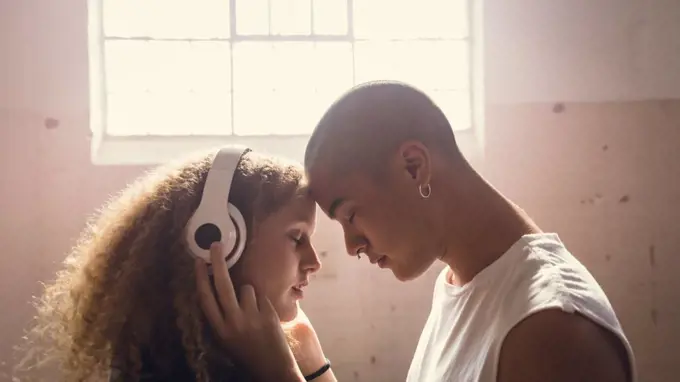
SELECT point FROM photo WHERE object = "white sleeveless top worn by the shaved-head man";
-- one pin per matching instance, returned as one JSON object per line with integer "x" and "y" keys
{"x": 464, "y": 332}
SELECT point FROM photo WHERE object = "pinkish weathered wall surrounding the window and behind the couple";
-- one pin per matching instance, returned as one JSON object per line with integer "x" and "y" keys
{"x": 583, "y": 125}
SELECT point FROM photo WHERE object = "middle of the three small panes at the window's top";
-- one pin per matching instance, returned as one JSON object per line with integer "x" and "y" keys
{"x": 291, "y": 17}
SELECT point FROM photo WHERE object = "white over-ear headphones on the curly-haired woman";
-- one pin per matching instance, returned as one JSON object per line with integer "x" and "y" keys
{"x": 215, "y": 219}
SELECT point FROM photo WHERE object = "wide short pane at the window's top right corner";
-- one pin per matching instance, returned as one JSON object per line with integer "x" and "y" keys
{"x": 407, "y": 19}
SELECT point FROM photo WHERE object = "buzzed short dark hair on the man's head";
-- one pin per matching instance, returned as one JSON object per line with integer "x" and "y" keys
{"x": 369, "y": 122}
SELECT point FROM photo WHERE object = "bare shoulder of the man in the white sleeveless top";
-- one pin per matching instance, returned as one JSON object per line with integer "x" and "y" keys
{"x": 557, "y": 346}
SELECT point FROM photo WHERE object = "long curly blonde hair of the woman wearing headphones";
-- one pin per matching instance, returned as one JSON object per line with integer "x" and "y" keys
{"x": 128, "y": 285}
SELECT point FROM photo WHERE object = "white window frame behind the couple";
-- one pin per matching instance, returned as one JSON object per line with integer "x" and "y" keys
{"x": 109, "y": 150}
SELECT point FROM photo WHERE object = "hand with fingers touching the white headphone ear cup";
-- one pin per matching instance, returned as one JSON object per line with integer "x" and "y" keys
{"x": 249, "y": 329}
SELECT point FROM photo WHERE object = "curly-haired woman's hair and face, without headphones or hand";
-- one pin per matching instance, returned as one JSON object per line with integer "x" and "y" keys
{"x": 127, "y": 299}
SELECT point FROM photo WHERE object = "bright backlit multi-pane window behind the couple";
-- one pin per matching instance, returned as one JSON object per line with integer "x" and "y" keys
{"x": 171, "y": 76}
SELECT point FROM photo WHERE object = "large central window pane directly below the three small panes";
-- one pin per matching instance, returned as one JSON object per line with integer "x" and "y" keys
{"x": 283, "y": 88}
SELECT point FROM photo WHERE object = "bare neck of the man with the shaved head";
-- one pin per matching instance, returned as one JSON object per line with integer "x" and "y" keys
{"x": 480, "y": 225}
